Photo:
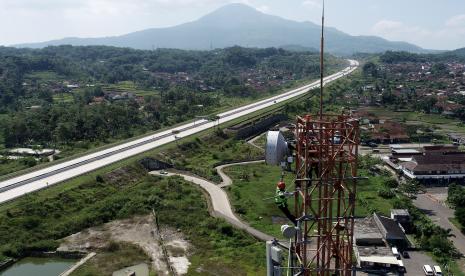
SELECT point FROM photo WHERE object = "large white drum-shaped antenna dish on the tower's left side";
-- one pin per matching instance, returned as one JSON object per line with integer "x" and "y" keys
{"x": 276, "y": 148}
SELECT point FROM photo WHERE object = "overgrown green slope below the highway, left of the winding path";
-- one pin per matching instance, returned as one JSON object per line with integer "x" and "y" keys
{"x": 38, "y": 221}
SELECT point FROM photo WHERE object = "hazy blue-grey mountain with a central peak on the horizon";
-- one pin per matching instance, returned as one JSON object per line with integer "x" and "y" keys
{"x": 238, "y": 24}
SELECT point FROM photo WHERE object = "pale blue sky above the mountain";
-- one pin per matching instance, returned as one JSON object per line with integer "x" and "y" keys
{"x": 434, "y": 24}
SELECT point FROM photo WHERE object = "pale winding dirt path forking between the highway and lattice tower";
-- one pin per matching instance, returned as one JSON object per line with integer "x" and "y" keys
{"x": 219, "y": 198}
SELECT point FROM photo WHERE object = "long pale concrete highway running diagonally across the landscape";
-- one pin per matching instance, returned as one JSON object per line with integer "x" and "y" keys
{"x": 42, "y": 178}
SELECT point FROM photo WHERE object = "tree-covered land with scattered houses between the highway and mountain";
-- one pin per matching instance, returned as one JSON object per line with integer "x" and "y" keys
{"x": 160, "y": 88}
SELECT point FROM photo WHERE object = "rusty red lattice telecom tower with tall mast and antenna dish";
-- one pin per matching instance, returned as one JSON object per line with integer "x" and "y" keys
{"x": 324, "y": 157}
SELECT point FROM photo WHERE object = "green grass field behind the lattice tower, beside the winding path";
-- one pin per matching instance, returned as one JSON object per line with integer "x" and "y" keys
{"x": 255, "y": 182}
